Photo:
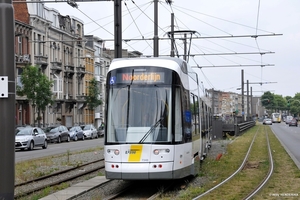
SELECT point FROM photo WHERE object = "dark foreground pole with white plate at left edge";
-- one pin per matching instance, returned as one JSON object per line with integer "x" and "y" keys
{"x": 7, "y": 100}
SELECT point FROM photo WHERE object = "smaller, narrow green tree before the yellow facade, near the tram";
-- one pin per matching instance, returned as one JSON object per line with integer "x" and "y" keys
{"x": 92, "y": 99}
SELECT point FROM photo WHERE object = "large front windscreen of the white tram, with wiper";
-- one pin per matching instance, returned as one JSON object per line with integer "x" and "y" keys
{"x": 139, "y": 114}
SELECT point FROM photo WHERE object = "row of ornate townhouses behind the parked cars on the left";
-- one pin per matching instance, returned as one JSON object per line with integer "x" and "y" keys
{"x": 57, "y": 45}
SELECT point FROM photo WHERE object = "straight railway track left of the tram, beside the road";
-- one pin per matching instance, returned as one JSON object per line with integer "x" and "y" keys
{"x": 32, "y": 186}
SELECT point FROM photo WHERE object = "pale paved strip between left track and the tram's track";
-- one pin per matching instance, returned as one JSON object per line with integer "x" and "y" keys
{"x": 76, "y": 189}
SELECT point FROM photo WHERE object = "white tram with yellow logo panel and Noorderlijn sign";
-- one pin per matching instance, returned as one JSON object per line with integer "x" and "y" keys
{"x": 152, "y": 119}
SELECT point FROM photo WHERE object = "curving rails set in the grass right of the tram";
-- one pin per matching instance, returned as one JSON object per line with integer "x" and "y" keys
{"x": 255, "y": 190}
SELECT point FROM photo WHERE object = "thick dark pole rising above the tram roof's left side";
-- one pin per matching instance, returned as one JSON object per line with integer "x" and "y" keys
{"x": 118, "y": 29}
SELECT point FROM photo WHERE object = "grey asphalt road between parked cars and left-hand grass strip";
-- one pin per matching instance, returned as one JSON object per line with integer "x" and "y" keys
{"x": 54, "y": 148}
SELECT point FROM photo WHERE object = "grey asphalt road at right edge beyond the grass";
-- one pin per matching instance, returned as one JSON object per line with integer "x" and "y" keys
{"x": 290, "y": 139}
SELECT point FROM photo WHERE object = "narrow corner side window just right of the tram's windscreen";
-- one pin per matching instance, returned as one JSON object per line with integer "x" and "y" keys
{"x": 178, "y": 116}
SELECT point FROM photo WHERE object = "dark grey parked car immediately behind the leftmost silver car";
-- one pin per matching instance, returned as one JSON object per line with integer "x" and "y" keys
{"x": 57, "y": 133}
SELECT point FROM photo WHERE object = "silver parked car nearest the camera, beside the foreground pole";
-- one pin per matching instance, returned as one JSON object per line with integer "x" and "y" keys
{"x": 30, "y": 137}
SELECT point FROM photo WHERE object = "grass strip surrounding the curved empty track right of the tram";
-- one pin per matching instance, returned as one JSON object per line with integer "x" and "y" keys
{"x": 284, "y": 183}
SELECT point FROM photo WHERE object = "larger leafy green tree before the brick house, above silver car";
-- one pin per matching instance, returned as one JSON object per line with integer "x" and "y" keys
{"x": 37, "y": 88}
